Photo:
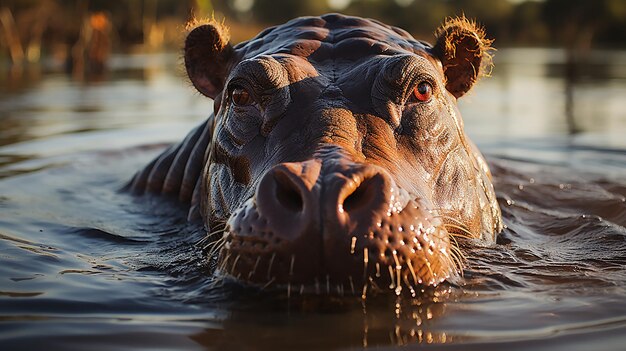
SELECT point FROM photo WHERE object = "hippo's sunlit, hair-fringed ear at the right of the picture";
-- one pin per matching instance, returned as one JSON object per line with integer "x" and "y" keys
{"x": 464, "y": 52}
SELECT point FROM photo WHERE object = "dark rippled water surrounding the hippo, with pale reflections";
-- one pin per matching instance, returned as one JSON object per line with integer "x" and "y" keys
{"x": 83, "y": 266}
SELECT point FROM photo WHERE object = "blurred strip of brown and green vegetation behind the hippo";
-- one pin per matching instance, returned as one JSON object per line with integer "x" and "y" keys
{"x": 30, "y": 28}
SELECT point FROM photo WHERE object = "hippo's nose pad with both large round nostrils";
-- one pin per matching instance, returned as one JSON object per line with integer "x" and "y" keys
{"x": 296, "y": 197}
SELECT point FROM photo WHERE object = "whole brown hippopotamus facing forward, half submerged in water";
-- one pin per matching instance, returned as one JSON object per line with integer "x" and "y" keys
{"x": 335, "y": 159}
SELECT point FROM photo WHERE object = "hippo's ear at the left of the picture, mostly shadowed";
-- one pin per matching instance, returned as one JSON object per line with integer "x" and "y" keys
{"x": 207, "y": 56}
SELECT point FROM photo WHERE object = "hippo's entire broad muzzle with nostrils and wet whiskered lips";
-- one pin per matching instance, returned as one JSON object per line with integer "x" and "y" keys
{"x": 334, "y": 226}
